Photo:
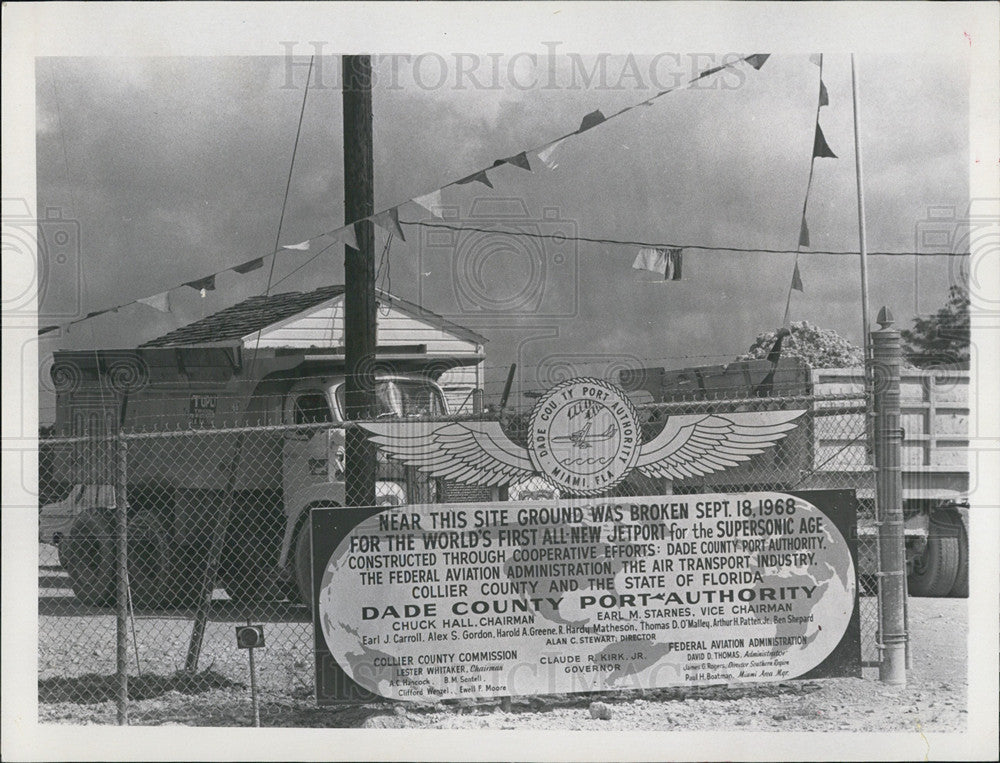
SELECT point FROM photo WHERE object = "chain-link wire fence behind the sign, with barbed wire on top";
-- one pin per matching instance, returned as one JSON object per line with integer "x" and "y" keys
{"x": 217, "y": 537}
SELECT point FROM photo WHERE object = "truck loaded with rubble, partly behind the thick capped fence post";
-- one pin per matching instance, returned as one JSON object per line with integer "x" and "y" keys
{"x": 831, "y": 450}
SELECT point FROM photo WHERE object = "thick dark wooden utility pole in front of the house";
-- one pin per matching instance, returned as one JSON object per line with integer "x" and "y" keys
{"x": 359, "y": 276}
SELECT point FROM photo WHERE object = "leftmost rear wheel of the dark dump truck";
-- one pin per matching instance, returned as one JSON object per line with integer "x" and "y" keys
{"x": 88, "y": 556}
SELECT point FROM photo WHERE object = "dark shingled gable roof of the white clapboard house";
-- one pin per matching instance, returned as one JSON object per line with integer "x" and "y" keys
{"x": 257, "y": 313}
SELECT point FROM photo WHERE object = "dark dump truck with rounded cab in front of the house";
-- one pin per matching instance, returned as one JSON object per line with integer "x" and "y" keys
{"x": 219, "y": 441}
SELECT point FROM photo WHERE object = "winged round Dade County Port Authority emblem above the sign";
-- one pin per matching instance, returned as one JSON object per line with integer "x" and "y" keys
{"x": 584, "y": 436}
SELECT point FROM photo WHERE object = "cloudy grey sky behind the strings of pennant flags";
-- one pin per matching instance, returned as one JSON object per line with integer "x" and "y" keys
{"x": 175, "y": 167}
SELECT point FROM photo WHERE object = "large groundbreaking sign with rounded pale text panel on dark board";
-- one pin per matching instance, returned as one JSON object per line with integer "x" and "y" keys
{"x": 421, "y": 603}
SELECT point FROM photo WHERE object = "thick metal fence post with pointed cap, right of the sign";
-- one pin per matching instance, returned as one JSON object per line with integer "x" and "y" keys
{"x": 887, "y": 357}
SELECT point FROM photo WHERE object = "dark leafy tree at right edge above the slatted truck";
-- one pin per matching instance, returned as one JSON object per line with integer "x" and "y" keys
{"x": 941, "y": 339}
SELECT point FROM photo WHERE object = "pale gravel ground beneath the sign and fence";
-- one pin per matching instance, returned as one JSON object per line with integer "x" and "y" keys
{"x": 77, "y": 684}
